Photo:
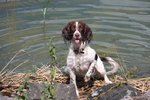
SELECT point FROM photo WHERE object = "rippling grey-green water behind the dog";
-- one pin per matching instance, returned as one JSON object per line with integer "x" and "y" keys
{"x": 121, "y": 29}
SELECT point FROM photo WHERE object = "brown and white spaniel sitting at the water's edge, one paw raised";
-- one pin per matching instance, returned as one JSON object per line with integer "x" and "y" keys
{"x": 82, "y": 60}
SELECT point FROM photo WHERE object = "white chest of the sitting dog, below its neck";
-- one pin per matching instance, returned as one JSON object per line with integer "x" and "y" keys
{"x": 80, "y": 63}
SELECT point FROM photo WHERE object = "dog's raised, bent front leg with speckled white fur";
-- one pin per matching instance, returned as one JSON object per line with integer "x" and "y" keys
{"x": 90, "y": 71}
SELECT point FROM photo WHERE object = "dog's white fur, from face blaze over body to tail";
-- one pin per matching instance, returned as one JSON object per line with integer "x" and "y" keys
{"x": 84, "y": 64}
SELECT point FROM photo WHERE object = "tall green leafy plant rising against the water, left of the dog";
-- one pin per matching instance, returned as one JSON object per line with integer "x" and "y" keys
{"x": 49, "y": 93}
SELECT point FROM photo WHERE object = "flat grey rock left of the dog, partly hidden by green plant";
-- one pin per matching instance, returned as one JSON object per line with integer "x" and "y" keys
{"x": 63, "y": 91}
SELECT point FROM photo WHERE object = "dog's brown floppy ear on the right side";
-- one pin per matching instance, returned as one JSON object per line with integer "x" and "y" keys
{"x": 87, "y": 33}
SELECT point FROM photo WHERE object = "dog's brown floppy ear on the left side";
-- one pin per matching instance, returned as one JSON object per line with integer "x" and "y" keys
{"x": 66, "y": 32}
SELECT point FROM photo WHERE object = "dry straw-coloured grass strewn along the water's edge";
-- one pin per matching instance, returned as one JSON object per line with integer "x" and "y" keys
{"x": 9, "y": 83}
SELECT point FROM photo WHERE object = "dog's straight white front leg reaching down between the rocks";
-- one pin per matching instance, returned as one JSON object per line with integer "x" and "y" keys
{"x": 73, "y": 80}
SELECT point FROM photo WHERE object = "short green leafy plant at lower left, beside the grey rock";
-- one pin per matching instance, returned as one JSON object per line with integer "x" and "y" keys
{"x": 22, "y": 93}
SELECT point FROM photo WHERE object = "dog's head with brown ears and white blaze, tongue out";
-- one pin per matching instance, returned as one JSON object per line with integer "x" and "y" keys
{"x": 77, "y": 32}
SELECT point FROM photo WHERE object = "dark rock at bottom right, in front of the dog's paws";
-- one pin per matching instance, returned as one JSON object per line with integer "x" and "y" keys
{"x": 113, "y": 92}
